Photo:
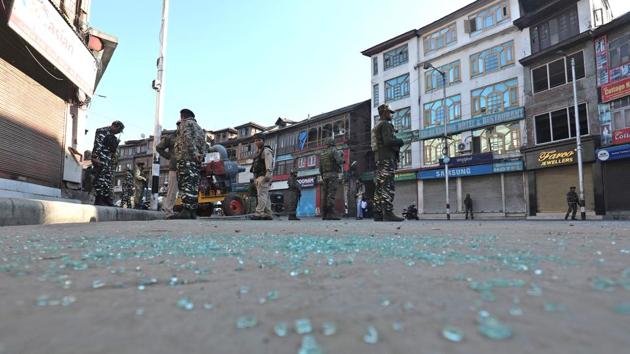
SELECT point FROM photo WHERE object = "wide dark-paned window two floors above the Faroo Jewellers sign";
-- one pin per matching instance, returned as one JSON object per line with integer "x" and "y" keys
{"x": 557, "y": 73}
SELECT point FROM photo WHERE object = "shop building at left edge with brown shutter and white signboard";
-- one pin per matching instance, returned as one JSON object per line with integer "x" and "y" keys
{"x": 51, "y": 61}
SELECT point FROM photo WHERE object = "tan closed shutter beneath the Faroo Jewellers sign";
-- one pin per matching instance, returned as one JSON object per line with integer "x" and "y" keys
{"x": 552, "y": 185}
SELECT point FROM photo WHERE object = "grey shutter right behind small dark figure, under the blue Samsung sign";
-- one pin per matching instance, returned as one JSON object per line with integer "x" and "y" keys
{"x": 485, "y": 192}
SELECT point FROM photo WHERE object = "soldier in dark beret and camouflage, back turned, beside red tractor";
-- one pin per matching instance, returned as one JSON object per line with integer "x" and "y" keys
{"x": 190, "y": 149}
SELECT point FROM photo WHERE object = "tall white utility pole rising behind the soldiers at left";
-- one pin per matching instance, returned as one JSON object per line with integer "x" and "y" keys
{"x": 158, "y": 85}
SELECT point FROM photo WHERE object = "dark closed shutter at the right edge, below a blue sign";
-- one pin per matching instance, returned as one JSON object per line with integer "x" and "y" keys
{"x": 617, "y": 184}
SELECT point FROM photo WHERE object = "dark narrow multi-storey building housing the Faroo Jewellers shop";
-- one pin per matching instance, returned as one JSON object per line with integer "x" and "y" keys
{"x": 560, "y": 32}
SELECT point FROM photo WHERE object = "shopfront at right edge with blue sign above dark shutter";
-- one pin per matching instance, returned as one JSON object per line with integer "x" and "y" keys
{"x": 615, "y": 162}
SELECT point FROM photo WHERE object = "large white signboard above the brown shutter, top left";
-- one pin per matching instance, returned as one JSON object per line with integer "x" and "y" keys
{"x": 39, "y": 23}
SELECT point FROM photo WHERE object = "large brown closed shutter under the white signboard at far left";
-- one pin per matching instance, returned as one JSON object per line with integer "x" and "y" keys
{"x": 32, "y": 125}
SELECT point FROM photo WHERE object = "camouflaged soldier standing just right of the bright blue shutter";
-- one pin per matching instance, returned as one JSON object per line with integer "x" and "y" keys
{"x": 330, "y": 166}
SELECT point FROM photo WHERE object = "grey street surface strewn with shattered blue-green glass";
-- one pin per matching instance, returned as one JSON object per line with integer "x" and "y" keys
{"x": 420, "y": 287}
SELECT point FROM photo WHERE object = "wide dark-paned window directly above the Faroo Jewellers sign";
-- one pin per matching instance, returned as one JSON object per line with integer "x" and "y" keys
{"x": 560, "y": 124}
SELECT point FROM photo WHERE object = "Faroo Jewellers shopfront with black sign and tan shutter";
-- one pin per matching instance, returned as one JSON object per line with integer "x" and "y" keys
{"x": 552, "y": 170}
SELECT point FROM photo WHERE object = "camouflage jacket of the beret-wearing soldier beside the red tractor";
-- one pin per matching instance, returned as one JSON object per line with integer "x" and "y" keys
{"x": 190, "y": 141}
